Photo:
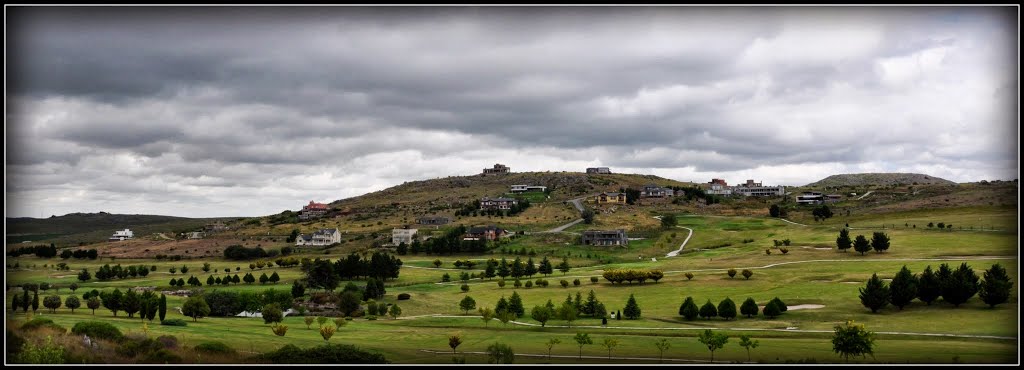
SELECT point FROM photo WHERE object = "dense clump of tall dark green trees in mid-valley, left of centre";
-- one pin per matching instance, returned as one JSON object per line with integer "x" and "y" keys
{"x": 322, "y": 274}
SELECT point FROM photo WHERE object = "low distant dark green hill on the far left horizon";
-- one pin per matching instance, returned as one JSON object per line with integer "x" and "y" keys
{"x": 92, "y": 228}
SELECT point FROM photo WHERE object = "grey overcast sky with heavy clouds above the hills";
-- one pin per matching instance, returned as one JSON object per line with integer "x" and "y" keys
{"x": 250, "y": 111}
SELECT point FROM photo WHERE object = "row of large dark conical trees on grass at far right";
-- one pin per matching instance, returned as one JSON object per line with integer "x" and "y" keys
{"x": 955, "y": 286}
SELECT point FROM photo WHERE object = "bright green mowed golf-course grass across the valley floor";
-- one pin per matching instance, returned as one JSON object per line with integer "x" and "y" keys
{"x": 805, "y": 276}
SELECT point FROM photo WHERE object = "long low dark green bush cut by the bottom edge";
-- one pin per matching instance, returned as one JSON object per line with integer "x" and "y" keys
{"x": 328, "y": 354}
